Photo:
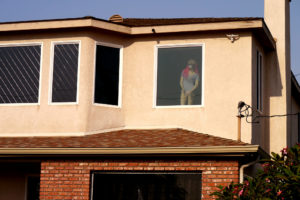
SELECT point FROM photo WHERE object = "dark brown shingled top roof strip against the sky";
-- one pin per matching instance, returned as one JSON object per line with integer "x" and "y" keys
{"x": 138, "y": 22}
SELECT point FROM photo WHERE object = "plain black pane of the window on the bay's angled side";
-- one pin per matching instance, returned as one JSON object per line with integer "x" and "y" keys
{"x": 107, "y": 75}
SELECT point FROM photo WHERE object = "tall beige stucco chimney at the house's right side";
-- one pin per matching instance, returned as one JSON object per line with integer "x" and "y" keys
{"x": 277, "y": 17}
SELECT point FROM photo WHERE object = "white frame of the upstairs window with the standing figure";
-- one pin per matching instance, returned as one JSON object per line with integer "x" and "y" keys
{"x": 156, "y": 70}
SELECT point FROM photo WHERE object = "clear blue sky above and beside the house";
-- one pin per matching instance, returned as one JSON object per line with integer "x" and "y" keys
{"x": 22, "y": 10}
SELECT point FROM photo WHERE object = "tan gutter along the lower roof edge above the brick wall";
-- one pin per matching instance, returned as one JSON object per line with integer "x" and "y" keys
{"x": 4, "y": 152}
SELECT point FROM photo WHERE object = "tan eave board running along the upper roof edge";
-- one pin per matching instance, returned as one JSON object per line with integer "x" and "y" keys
{"x": 257, "y": 26}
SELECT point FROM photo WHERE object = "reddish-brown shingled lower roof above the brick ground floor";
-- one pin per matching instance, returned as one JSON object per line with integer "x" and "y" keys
{"x": 122, "y": 139}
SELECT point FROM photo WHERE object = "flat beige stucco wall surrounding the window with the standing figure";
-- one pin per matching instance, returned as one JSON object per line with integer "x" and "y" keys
{"x": 226, "y": 64}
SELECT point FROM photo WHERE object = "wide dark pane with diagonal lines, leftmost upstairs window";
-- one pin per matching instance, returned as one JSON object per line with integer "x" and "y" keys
{"x": 19, "y": 74}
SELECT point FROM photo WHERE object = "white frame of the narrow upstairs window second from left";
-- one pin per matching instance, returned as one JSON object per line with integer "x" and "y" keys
{"x": 53, "y": 43}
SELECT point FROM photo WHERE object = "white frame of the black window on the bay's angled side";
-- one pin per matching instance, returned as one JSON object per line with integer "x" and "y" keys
{"x": 120, "y": 74}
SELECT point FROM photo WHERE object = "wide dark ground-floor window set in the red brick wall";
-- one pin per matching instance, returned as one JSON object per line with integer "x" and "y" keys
{"x": 146, "y": 186}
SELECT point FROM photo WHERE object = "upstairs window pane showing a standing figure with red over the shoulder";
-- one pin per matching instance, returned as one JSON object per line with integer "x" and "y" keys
{"x": 179, "y": 75}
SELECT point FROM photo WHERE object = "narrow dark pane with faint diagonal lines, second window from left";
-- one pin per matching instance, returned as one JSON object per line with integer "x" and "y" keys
{"x": 65, "y": 70}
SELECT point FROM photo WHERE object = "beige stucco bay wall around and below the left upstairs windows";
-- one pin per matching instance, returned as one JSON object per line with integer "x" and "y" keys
{"x": 46, "y": 119}
